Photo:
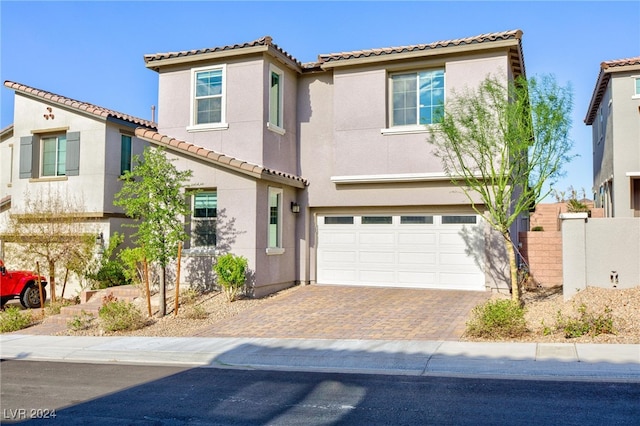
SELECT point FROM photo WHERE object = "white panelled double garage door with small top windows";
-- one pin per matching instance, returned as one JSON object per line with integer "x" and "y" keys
{"x": 421, "y": 251}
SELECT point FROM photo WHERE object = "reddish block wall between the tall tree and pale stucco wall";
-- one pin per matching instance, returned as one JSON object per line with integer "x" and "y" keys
{"x": 543, "y": 253}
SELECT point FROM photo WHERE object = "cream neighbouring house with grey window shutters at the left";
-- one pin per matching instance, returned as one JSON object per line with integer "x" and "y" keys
{"x": 62, "y": 147}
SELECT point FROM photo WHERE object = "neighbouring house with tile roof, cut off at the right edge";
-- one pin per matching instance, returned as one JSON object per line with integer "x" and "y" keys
{"x": 614, "y": 116}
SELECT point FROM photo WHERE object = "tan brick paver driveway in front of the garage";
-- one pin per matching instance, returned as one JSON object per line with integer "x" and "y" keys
{"x": 344, "y": 312}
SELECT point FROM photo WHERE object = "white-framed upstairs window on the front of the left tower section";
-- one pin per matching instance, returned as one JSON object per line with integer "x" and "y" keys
{"x": 208, "y": 97}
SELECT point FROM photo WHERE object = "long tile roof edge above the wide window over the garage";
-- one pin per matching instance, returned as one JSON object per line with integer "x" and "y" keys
{"x": 506, "y": 35}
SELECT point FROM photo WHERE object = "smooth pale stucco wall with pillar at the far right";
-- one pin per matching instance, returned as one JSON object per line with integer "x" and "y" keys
{"x": 602, "y": 252}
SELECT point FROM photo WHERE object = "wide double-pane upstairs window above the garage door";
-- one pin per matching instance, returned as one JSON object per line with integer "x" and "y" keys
{"x": 417, "y": 98}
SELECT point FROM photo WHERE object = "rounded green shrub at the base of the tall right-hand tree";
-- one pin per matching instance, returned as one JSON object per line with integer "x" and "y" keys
{"x": 497, "y": 319}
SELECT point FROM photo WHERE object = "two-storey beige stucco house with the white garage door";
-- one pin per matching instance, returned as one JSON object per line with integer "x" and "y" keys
{"x": 321, "y": 172}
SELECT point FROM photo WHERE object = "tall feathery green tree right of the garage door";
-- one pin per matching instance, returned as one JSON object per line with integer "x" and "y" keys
{"x": 506, "y": 144}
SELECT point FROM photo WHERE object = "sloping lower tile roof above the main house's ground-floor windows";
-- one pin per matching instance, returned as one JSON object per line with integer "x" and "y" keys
{"x": 222, "y": 160}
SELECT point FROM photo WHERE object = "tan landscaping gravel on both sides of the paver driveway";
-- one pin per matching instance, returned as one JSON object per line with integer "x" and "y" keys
{"x": 542, "y": 307}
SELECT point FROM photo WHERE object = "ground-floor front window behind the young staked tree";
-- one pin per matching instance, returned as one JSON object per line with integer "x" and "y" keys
{"x": 203, "y": 222}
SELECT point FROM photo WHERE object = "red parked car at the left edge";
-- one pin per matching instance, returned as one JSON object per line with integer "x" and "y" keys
{"x": 21, "y": 285}
